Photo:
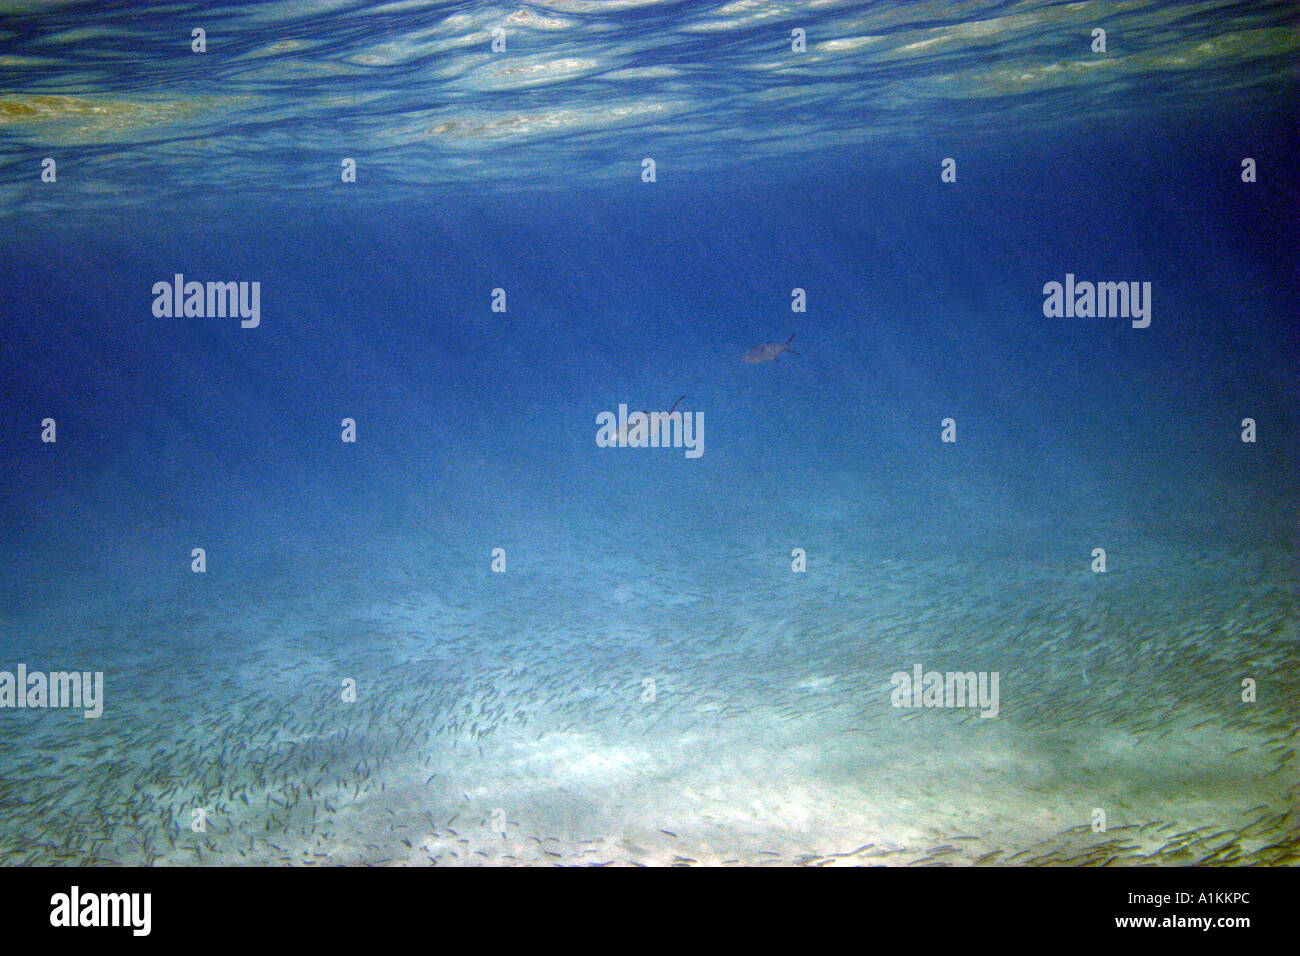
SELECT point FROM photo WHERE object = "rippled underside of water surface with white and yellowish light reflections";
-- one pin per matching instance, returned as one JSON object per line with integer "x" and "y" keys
{"x": 415, "y": 93}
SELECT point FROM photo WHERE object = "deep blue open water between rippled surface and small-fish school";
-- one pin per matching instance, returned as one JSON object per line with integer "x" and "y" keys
{"x": 925, "y": 302}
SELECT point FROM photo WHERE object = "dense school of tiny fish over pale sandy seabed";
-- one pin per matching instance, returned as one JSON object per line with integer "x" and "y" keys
{"x": 653, "y": 713}
